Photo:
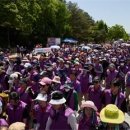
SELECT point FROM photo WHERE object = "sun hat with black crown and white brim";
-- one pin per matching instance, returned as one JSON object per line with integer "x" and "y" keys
{"x": 57, "y": 98}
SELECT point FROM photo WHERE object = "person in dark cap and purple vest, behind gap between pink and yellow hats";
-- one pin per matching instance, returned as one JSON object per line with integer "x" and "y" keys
{"x": 95, "y": 93}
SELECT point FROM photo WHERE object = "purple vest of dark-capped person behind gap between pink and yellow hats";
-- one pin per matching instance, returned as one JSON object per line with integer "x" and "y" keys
{"x": 96, "y": 96}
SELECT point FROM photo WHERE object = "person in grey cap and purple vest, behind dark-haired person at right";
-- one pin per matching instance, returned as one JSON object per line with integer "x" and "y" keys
{"x": 110, "y": 75}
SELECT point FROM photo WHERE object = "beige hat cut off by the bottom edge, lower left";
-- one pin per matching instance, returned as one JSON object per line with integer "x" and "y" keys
{"x": 17, "y": 126}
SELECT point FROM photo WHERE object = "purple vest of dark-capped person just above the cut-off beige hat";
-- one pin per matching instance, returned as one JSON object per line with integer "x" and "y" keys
{"x": 15, "y": 115}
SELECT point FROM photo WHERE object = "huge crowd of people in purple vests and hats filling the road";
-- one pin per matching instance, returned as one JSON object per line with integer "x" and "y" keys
{"x": 68, "y": 89}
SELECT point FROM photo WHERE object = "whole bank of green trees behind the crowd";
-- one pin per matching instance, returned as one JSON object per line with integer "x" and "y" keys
{"x": 24, "y": 21}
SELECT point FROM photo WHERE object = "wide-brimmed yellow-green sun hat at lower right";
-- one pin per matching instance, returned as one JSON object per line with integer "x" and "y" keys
{"x": 111, "y": 114}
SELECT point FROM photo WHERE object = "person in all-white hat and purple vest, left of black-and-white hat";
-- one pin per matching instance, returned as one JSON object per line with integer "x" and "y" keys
{"x": 41, "y": 112}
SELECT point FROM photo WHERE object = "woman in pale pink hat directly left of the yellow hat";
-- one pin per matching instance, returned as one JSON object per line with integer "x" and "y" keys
{"x": 88, "y": 119}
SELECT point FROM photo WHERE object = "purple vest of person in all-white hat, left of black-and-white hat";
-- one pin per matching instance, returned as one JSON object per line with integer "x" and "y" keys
{"x": 41, "y": 115}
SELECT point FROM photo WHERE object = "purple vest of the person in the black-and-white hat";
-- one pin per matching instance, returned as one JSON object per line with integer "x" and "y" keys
{"x": 60, "y": 119}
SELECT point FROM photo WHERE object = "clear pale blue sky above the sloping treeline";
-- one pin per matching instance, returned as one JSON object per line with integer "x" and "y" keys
{"x": 110, "y": 11}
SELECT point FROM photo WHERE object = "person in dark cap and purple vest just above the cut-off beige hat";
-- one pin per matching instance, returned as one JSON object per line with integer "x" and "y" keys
{"x": 16, "y": 109}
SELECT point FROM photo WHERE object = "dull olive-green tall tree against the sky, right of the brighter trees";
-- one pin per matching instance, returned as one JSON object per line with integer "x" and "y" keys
{"x": 80, "y": 22}
